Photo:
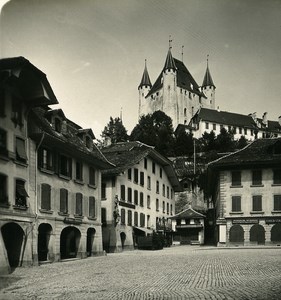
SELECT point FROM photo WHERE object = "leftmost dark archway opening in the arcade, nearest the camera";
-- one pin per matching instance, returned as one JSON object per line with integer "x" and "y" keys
{"x": 13, "y": 237}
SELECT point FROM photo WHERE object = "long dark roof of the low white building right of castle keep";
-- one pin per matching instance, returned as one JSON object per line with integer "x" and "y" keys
{"x": 223, "y": 117}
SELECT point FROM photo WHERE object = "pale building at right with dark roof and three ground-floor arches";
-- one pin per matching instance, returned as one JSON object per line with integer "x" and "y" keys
{"x": 246, "y": 191}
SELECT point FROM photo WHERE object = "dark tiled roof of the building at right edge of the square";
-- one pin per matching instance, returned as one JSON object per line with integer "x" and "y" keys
{"x": 261, "y": 152}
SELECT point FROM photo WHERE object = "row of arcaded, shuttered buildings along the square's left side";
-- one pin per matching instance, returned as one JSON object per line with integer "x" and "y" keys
{"x": 50, "y": 175}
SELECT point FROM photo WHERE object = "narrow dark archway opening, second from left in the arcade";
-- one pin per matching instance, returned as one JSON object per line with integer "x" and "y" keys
{"x": 44, "y": 233}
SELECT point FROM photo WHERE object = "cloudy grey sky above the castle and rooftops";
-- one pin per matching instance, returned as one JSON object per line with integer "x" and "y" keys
{"x": 93, "y": 51}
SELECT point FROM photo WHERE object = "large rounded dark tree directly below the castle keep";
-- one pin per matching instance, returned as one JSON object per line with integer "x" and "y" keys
{"x": 155, "y": 130}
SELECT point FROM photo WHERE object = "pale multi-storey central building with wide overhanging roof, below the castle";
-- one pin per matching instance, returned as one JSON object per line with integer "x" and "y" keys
{"x": 138, "y": 194}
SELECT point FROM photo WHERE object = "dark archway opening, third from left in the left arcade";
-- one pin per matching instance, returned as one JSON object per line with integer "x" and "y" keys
{"x": 69, "y": 242}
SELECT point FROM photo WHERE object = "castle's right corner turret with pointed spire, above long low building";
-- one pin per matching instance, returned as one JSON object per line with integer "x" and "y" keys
{"x": 209, "y": 89}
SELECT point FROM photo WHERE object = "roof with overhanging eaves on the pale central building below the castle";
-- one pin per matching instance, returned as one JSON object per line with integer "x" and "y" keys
{"x": 125, "y": 155}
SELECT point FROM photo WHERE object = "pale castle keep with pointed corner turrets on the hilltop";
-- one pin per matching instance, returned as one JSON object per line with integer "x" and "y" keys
{"x": 175, "y": 92}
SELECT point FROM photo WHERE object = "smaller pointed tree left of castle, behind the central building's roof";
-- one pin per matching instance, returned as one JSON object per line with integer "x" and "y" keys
{"x": 115, "y": 130}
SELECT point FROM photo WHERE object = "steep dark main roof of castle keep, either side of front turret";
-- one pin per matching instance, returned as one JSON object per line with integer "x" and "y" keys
{"x": 184, "y": 79}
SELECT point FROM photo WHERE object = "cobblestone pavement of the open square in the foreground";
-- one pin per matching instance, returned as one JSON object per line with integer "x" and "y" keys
{"x": 181, "y": 272}
